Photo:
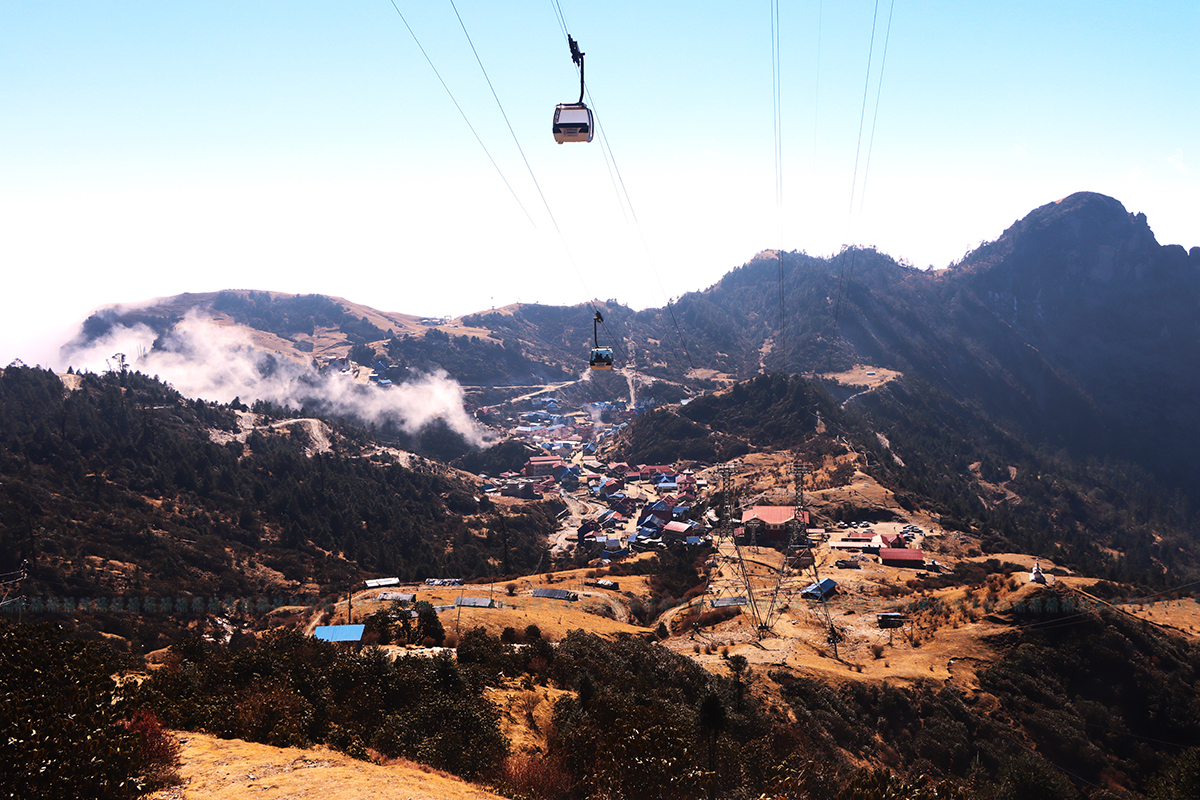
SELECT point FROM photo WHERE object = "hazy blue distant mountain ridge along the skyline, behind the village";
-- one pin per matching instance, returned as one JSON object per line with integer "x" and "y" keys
{"x": 1072, "y": 330}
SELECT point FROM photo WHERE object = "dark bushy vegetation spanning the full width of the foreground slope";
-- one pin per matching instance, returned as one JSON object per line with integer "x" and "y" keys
{"x": 1078, "y": 703}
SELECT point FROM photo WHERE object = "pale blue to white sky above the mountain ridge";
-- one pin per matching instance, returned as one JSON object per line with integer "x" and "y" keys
{"x": 149, "y": 149}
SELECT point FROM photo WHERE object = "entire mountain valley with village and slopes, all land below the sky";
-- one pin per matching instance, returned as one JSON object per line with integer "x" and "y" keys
{"x": 921, "y": 539}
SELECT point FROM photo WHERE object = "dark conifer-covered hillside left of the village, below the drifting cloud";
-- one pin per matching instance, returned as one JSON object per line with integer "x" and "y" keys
{"x": 118, "y": 488}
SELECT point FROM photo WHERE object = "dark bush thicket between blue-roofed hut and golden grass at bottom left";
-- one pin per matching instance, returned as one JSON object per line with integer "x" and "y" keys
{"x": 291, "y": 690}
